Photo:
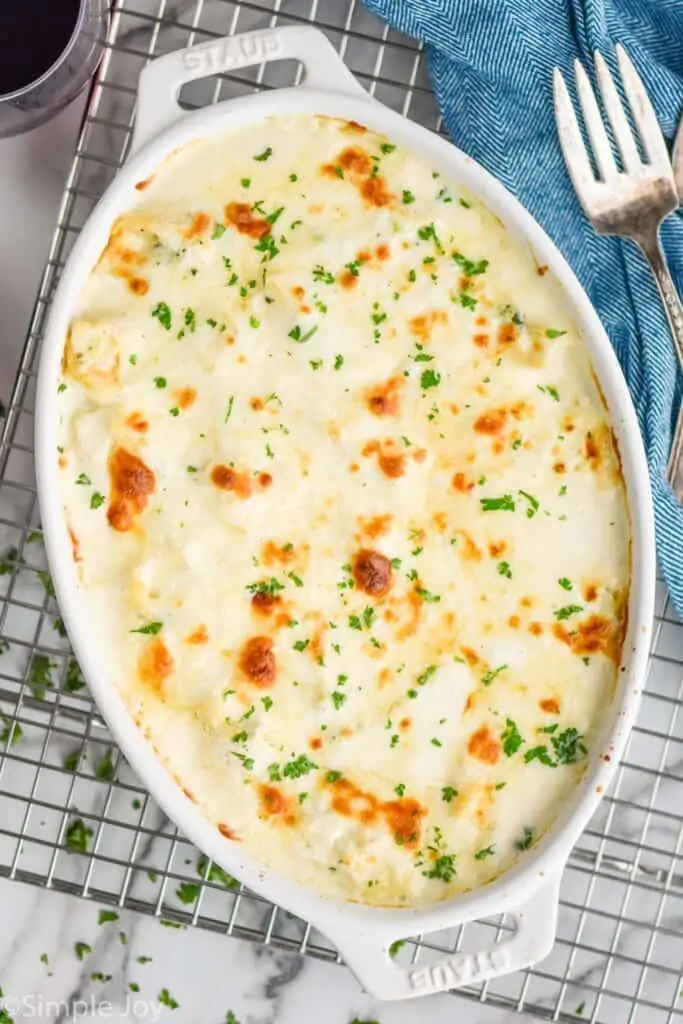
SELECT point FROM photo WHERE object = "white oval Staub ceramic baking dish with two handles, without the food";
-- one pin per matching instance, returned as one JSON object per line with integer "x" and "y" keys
{"x": 529, "y": 891}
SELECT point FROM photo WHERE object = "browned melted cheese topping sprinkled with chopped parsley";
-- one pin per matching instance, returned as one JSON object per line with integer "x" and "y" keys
{"x": 349, "y": 510}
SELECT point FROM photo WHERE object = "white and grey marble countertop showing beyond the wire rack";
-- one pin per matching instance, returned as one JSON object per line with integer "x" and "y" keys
{"x": 207, "y": 975}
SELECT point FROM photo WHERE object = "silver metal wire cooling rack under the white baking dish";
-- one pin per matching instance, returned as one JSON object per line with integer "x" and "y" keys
{"x": 64, "y": 785}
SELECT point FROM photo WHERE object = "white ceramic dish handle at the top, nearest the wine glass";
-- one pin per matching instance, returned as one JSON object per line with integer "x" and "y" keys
{"x": 162, "y": 79}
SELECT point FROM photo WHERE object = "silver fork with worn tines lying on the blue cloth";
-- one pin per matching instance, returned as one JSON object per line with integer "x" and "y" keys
{"x": 632, "y": 202}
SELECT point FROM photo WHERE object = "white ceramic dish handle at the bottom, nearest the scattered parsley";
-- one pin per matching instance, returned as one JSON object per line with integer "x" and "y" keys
{"x": 386, "y": 979}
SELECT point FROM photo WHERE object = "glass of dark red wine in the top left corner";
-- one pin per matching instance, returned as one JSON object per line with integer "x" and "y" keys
{"x": 49, "y": 52}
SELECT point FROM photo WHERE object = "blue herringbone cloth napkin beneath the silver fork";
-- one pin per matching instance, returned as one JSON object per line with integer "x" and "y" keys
{"x": 491, "y": 64}
